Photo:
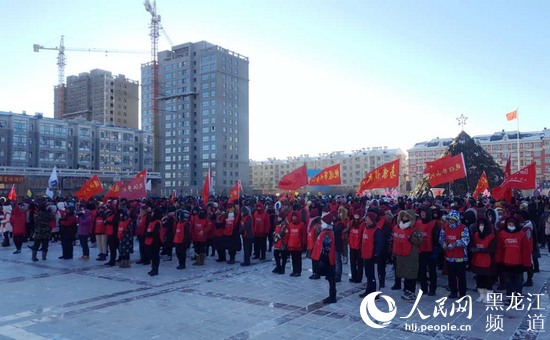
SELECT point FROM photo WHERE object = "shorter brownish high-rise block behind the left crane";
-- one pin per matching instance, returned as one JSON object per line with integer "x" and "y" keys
{"x": 100, "y": 97}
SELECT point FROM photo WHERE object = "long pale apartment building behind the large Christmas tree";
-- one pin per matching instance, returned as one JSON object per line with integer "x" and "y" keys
{"x": 534, "y": 146}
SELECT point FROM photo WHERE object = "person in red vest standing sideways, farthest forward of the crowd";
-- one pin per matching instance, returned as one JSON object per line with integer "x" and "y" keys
{"x": 325, "y": 254}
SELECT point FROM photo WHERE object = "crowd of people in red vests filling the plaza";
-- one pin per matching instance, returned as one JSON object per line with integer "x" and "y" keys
{"x": 423, "y": 238}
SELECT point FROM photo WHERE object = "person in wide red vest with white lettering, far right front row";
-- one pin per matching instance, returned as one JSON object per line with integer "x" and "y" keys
{"x": 513, "y": 255}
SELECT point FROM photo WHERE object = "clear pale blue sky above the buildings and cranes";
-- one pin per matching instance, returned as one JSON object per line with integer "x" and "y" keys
{"x": 324, "y": 75}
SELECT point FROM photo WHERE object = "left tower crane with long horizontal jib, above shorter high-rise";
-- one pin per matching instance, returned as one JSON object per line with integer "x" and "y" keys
{"x": 62, "y": 61}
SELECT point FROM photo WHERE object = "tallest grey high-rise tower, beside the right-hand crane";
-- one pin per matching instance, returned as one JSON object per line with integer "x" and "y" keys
{"x": 202, "y": 118}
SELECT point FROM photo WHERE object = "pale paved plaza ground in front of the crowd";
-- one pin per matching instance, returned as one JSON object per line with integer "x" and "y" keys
{"x": 72, "y": 299}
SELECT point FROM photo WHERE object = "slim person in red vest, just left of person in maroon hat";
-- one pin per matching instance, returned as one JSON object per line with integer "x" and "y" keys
{"x": 355, "y": 233}
